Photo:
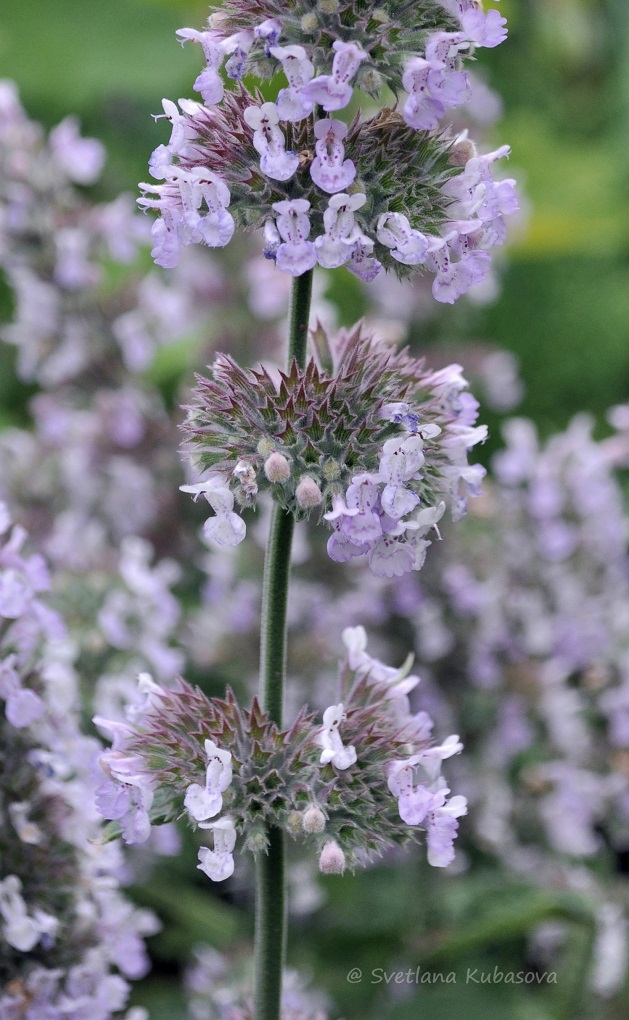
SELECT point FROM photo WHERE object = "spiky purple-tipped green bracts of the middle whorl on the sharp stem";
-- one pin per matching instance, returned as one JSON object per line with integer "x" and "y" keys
{"x": 328, "y": 423}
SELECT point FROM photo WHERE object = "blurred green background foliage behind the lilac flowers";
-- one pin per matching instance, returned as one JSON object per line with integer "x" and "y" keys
{"x": 564, "y": 311}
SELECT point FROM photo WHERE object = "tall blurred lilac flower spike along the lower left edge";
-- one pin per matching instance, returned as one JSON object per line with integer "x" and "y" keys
{"x": 69, "y": 939}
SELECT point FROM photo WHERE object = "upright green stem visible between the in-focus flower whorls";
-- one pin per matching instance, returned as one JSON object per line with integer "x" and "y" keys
{"x": 271, "y": 880}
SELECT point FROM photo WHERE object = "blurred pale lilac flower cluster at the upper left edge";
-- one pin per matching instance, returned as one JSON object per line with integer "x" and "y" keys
{"x": 53, "y": 243}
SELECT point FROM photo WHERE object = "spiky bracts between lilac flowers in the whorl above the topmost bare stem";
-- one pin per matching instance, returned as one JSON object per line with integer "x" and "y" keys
{"x": 398, "y": 169}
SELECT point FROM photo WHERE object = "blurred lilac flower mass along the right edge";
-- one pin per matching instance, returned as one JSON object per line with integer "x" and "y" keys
{"x": 542, "y": 604}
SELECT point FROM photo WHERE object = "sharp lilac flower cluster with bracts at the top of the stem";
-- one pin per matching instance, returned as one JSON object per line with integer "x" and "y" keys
{"x": 393, "y": 190}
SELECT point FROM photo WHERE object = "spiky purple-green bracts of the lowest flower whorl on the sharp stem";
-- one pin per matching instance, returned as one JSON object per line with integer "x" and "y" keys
{"x": 277, "y": 774}
